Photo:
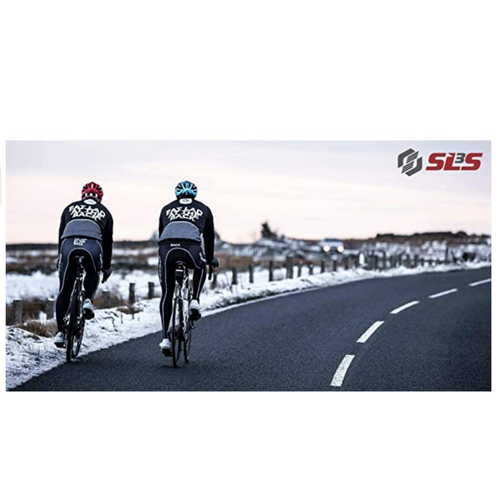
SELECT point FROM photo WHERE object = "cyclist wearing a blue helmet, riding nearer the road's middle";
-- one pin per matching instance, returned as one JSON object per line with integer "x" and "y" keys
{"x": 185, "y": 234}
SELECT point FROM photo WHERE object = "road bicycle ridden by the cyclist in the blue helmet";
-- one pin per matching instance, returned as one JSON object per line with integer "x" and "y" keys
{"x": 182, "y": 323}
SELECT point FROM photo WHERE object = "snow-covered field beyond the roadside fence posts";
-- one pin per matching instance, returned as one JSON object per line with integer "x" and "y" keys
{"x": 29, "y": 279}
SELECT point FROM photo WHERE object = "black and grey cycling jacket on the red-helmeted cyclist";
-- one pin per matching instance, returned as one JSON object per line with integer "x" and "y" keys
{"x": 89, "y": 219}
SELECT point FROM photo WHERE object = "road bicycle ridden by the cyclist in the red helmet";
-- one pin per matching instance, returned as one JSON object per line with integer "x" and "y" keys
{"x": 74, "y": 321}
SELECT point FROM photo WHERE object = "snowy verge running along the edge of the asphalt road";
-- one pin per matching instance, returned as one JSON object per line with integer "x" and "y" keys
{"x": 29, "y": 355}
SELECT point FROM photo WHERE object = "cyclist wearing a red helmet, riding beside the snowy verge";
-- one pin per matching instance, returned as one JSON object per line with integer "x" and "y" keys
{"x": 87, "y": 229}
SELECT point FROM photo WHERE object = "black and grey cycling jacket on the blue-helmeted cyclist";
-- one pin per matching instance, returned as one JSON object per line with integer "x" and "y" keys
{"x": 188, "y": 220}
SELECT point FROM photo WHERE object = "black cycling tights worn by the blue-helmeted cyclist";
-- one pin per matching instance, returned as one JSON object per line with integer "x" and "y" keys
{"x": 169, "y": 254}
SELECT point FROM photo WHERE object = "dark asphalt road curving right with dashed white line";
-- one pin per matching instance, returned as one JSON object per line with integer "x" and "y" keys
{"x": 307, "y": 341}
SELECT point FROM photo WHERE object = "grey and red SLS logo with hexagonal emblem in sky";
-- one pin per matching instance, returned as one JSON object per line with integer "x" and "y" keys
{"x": 410, "y": 162}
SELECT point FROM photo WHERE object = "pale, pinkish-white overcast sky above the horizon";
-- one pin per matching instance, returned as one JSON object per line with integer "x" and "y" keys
{"x": 304, "y": 189}
